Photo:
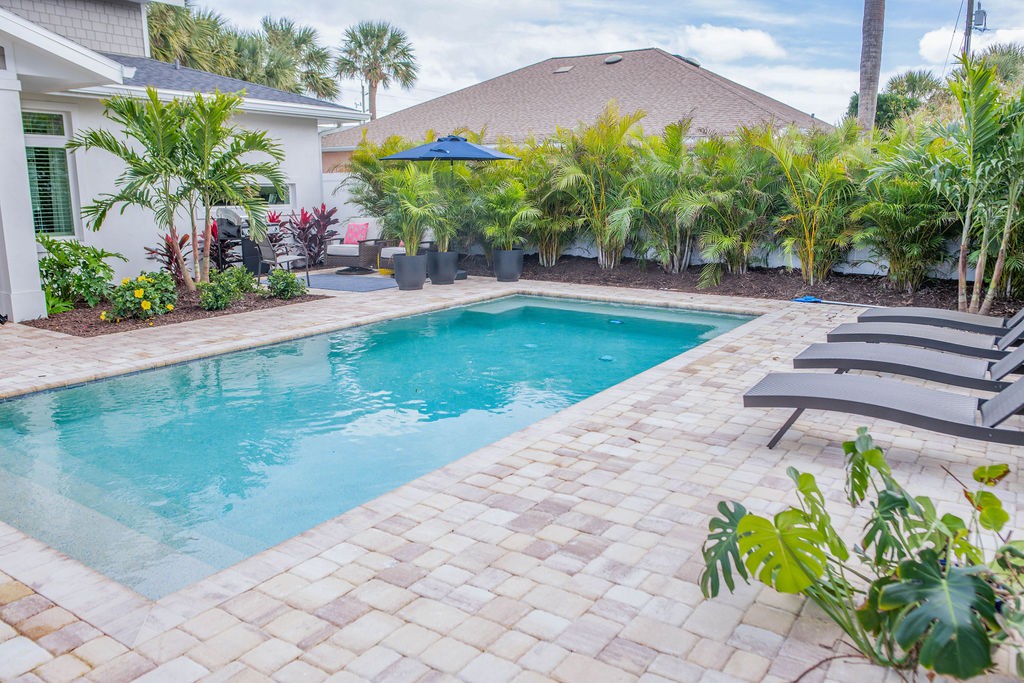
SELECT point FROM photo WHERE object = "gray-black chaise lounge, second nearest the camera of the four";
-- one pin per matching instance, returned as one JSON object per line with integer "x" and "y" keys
{"x": 951, "y": 369}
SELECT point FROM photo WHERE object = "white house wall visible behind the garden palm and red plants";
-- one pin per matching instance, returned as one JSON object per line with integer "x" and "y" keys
{"x": 95, "y": 173}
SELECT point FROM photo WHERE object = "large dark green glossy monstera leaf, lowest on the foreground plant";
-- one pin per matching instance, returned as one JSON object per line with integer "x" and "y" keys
{"x": 945, "y": 615}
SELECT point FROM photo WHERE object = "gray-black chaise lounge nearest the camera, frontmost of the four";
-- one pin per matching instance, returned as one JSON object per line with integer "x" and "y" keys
{"x": 942, "y": 412}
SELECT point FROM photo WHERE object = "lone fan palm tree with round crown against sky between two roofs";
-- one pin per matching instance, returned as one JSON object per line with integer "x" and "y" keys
{"x": 379, "y": 54}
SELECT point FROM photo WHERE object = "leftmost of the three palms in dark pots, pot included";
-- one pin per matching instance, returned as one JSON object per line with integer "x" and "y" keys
{"x": 413, "y": 204}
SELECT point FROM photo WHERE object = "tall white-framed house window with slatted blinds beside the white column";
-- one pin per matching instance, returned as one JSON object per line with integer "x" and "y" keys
{"x": 50, "y": 181}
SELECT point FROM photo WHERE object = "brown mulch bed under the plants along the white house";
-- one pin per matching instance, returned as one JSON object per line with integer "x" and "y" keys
{"x": 86, "y": 322}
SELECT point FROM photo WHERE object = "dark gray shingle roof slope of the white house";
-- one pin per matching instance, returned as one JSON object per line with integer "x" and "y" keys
{"x": 167, "y": 76}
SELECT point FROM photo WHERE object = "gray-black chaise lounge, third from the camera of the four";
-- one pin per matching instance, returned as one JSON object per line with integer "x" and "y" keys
{"x": 942, "y": 339}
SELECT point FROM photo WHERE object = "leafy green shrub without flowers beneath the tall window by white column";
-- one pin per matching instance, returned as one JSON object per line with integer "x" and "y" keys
{"x": 72, "y": 272}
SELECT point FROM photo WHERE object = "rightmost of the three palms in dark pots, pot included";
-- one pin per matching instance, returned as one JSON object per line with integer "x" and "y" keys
{"x": 509, "y": 216}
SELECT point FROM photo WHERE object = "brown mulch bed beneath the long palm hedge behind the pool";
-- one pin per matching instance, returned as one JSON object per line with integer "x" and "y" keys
{"x": 759, "y": 284}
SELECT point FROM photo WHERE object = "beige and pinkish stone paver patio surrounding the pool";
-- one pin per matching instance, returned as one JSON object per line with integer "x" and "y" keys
{"x": 568, "y": 551}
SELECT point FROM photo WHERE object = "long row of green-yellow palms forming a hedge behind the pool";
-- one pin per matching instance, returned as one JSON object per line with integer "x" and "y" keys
{"x": 940, "y": 190}
